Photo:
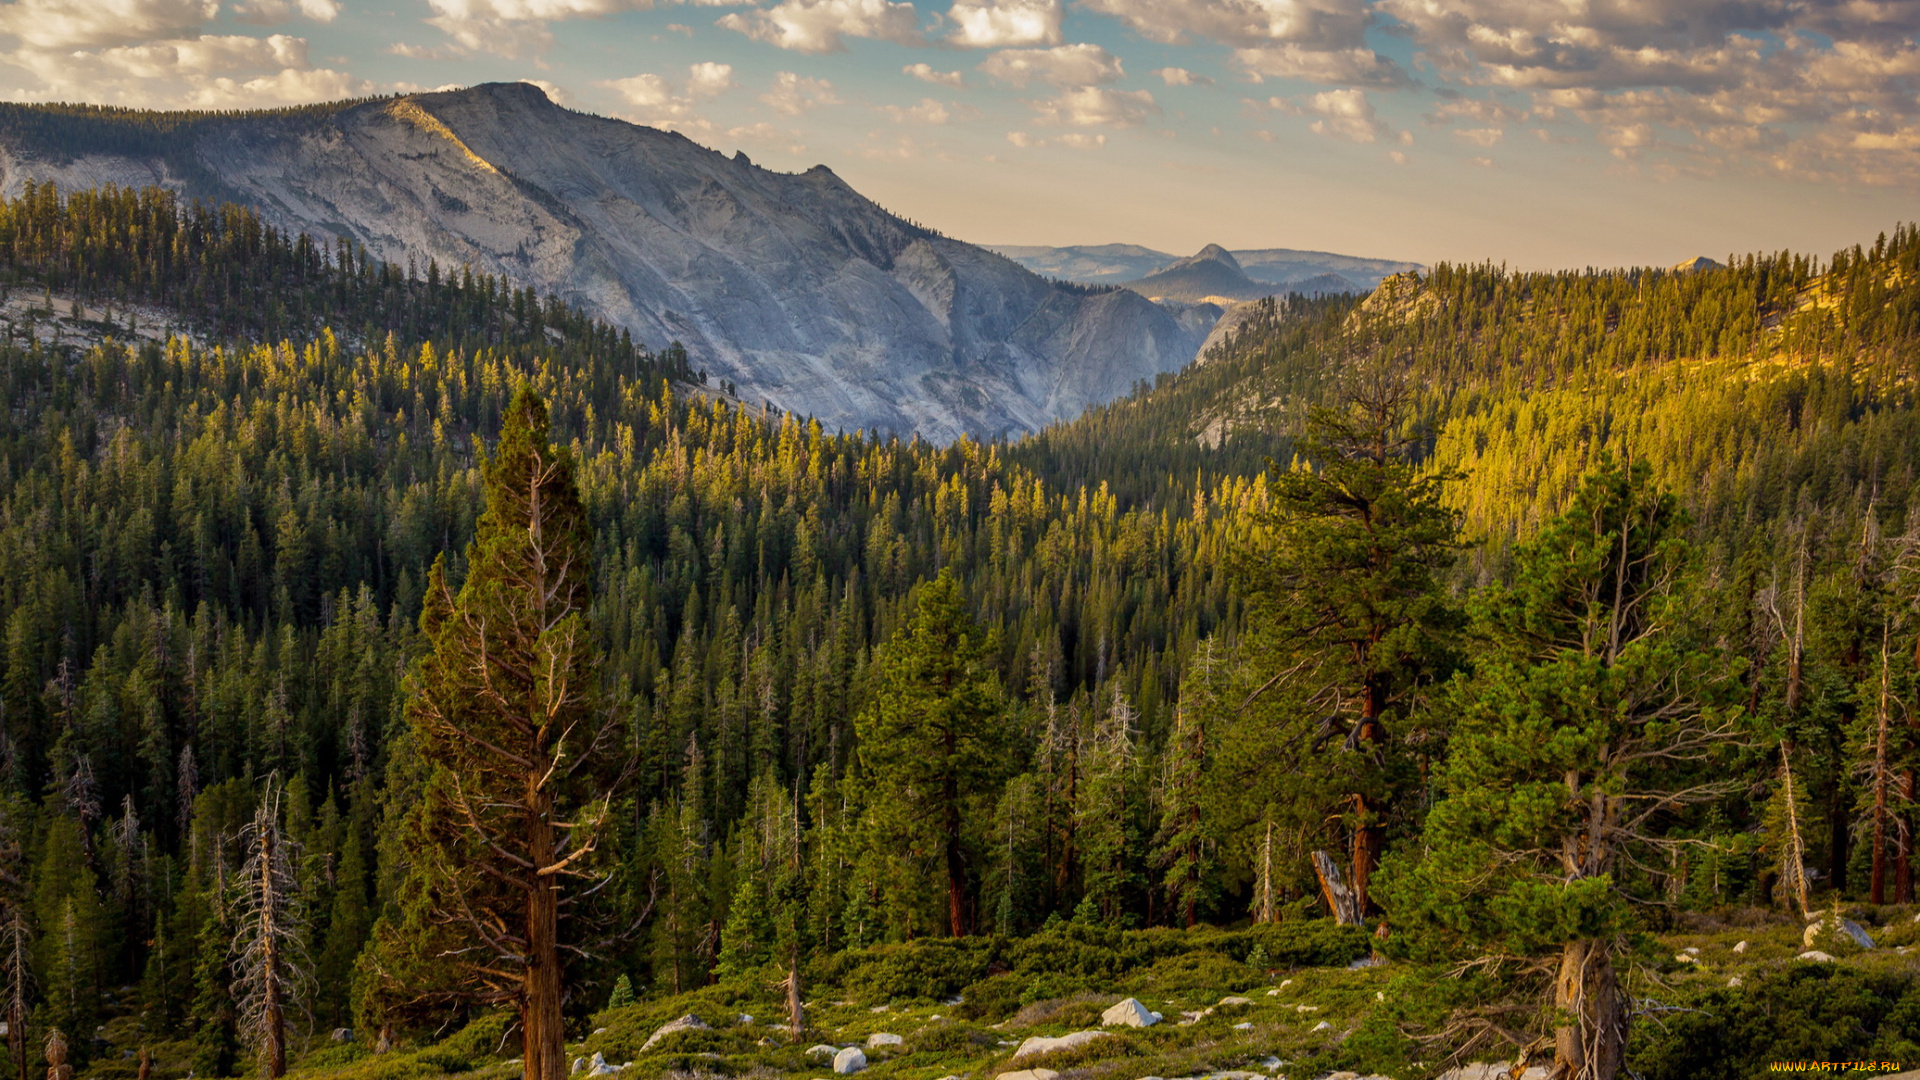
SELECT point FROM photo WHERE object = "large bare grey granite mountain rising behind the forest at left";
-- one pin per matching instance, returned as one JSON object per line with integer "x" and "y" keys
{"x": 790, "y": 285}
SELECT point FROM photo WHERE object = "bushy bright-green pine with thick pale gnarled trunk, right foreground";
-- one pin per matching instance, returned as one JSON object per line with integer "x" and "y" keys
{"x": 1593, "y": 718}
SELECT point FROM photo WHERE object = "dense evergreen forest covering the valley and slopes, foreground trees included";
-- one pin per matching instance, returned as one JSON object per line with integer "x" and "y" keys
{"x": 406, "y": 675}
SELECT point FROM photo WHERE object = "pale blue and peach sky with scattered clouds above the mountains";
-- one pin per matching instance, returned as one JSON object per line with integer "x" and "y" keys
{"x": 1535, "y": 134}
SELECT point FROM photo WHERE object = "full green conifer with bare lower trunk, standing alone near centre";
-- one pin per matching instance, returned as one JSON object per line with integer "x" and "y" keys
{"x": 934, "y": 739}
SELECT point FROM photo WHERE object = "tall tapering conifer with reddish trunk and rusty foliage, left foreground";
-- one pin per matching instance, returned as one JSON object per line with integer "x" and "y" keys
{"x": 510, "y": 720}
